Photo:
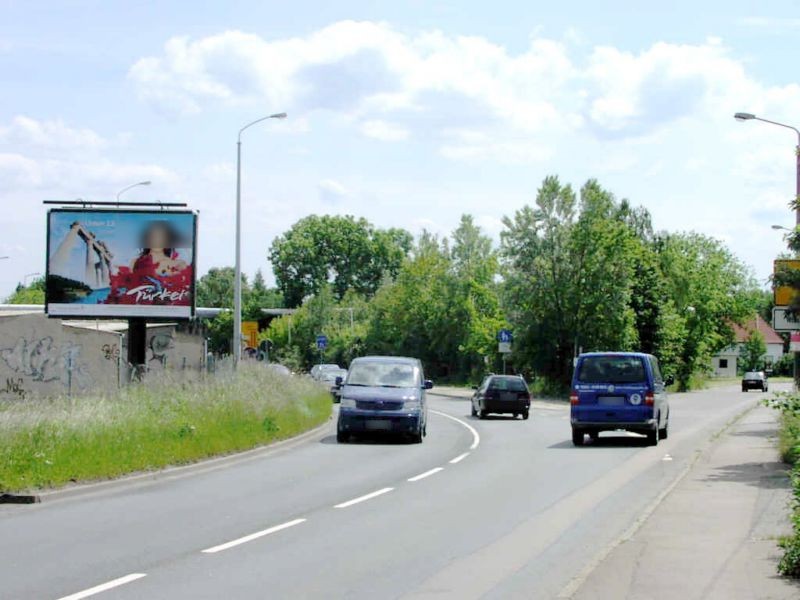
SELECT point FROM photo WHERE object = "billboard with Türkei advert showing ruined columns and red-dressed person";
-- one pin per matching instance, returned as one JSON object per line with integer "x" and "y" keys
{"x": 120, "y": 263}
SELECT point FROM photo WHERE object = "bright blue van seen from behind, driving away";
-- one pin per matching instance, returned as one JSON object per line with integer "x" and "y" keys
{"x": 618, "y": 390}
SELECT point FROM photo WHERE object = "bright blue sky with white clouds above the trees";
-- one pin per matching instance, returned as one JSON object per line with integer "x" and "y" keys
{"x": 409, "y": 114}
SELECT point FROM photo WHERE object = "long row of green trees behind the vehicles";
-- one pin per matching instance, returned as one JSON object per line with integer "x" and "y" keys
{"x": 574, "y": 271}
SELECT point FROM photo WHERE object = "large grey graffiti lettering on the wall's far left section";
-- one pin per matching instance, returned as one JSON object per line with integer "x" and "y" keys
{"x": 45, "y": 361}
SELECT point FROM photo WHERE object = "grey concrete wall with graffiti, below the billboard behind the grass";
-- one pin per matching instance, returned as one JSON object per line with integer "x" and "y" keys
{"x": 44, "y": 357}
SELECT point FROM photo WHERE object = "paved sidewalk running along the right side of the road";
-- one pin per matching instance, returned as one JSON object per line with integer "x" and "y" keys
{"x": 714, "y": 535}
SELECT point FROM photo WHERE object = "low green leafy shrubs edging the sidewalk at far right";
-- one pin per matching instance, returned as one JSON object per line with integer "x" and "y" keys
{"x": 789, "y": 445}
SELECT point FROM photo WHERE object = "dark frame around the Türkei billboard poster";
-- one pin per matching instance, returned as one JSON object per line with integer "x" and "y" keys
{"x": 140, "y": 311}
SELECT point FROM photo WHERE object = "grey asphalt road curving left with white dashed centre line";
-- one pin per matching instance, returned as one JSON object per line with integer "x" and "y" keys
{"x": 498, "y": 508}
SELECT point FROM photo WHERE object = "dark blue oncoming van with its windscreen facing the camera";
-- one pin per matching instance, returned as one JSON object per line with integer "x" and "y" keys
{"x": 384, "y": 394}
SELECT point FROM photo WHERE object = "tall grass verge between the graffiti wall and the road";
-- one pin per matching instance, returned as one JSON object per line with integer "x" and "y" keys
{"x": 48, "y": 443}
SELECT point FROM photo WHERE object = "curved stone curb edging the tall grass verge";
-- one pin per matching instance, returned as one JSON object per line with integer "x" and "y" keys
{"x": 173, "y": 472}
